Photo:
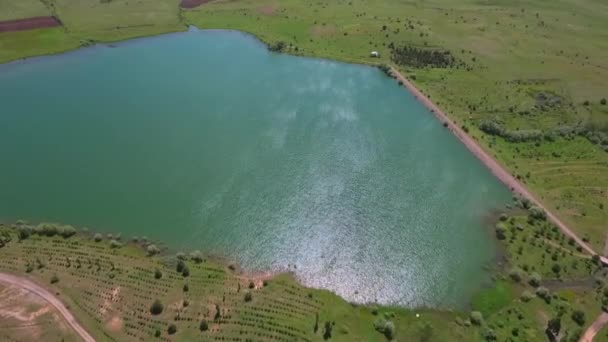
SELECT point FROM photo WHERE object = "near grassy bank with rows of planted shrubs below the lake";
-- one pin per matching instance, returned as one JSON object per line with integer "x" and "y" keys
{"x": 111, "y": 284}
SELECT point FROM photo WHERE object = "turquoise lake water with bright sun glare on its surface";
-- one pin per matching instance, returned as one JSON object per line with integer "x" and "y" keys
{"x": 205, "y": 140}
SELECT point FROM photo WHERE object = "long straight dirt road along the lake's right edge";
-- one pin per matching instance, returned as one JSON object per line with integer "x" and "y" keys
{"x": 501, "y": 173}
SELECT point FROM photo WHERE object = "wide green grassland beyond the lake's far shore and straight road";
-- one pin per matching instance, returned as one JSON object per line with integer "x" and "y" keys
{"x": 536, "y": 71}
